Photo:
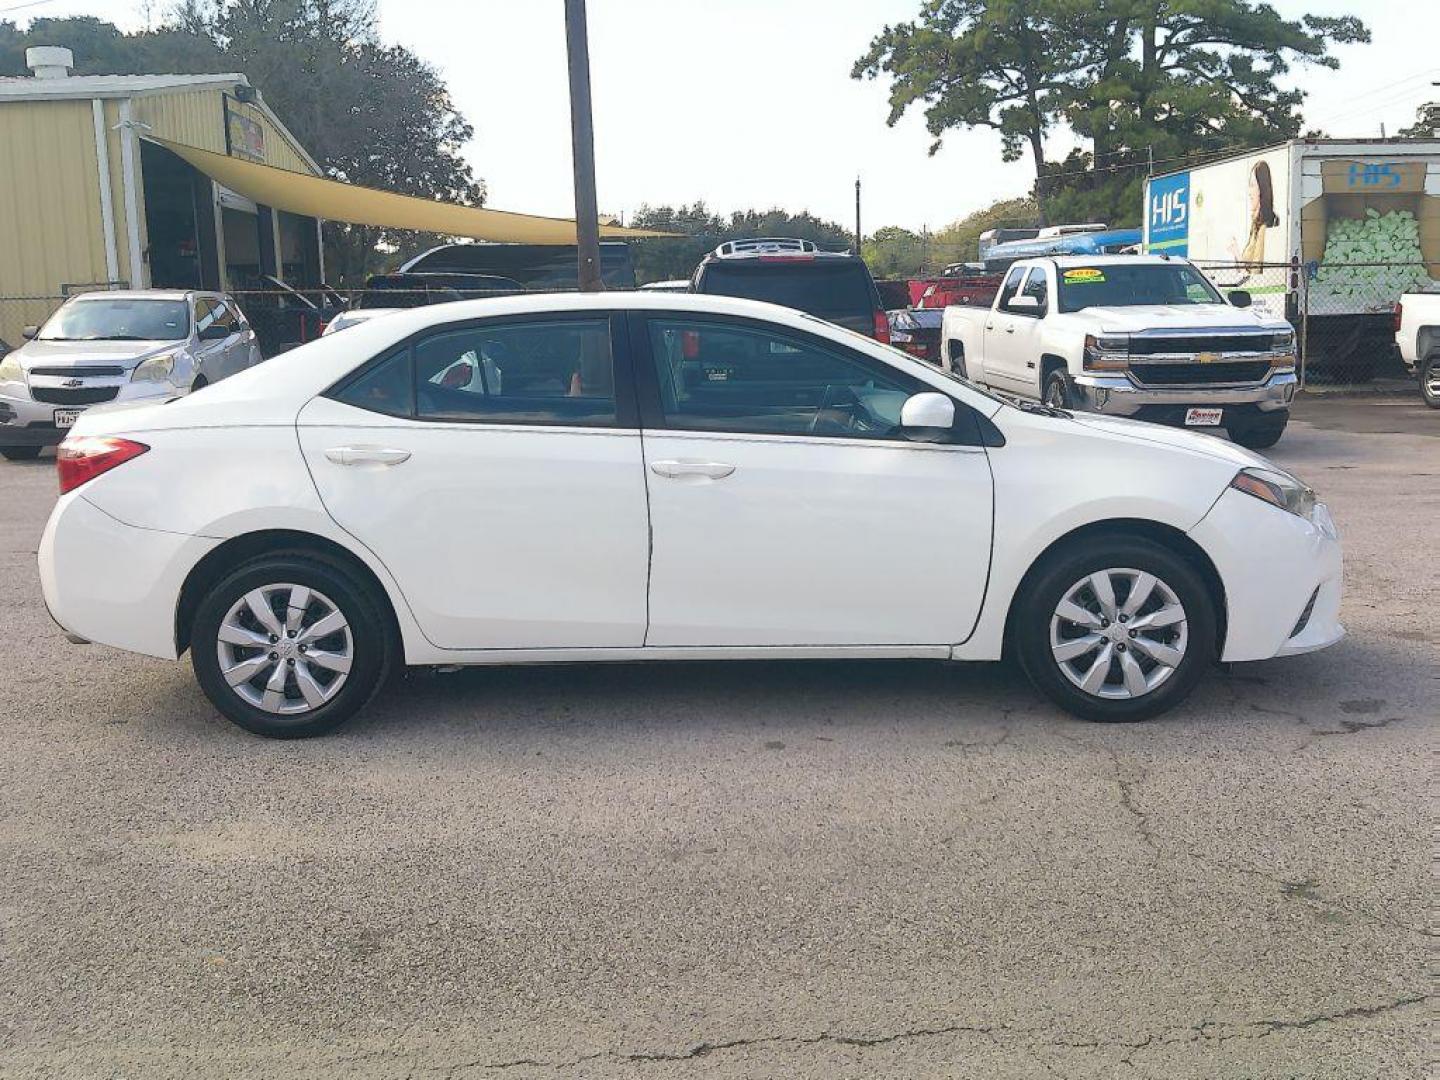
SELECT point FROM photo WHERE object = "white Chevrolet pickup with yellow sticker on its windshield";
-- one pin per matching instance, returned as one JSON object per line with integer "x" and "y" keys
{"x": 1143, "y": 336}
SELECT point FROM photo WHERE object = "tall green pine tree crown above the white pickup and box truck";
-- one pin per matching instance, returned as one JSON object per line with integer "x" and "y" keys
{"x": 1140, "y": 80}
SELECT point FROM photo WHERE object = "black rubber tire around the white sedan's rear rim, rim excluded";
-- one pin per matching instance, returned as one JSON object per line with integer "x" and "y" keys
{"x": 374, "y": 647}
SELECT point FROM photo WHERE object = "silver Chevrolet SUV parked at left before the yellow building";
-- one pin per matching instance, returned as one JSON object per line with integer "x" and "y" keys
{"x": 116, "y": 348}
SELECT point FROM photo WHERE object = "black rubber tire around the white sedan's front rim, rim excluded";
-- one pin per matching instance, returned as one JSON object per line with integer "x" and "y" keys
{"x": 1043, "y": 593}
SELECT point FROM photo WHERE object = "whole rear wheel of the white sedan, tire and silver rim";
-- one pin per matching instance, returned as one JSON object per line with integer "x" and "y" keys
{"x": 292, "y": 646}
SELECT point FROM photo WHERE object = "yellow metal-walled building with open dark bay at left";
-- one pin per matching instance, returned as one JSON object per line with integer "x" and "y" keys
{"x": 93, "y": 199}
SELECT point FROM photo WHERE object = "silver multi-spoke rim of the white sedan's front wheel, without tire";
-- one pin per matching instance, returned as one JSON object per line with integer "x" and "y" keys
{"x": 1120, "y": 634}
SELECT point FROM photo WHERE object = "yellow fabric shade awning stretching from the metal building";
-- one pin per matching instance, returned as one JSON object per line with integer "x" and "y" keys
{"x": 333, "y": 201}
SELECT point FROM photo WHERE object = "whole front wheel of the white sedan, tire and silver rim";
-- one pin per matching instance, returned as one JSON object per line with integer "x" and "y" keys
{"x": 1117, "y": 629}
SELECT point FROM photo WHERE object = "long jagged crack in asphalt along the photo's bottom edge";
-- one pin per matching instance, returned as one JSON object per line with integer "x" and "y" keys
{"x": 1194, "y": 1033}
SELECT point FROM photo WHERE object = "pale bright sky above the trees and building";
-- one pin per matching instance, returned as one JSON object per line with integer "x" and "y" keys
{"x": 750, "y": 103}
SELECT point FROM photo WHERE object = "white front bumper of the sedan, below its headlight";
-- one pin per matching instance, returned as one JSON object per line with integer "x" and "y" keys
{"x": 1282, "y": 575}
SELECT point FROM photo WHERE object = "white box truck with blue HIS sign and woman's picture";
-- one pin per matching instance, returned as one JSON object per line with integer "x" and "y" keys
{"x": 1327, "y": 234}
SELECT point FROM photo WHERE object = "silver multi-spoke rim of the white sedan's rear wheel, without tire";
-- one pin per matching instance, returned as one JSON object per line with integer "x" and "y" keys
{"x": 286, "y": 649}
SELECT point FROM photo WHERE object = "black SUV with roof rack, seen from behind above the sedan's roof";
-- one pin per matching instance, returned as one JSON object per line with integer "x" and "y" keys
{"x": 797, "y": 274}
